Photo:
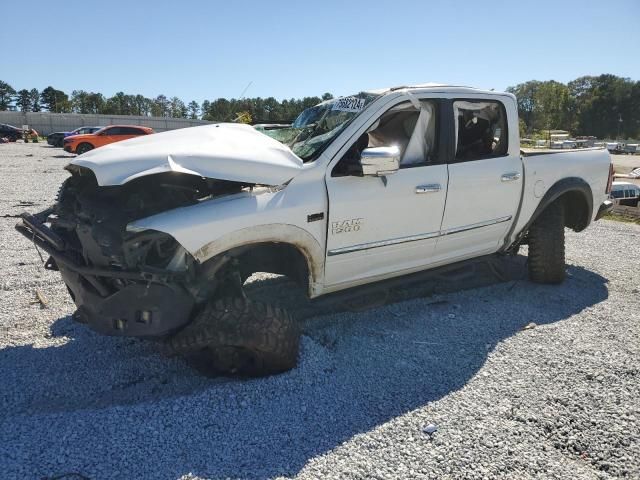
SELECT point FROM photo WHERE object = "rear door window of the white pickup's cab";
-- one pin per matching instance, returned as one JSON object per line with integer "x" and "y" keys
{"x": 480, "y": 129}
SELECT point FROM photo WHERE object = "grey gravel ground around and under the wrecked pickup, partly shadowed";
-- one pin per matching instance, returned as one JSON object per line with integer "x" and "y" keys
{"x": 561, "y": 400}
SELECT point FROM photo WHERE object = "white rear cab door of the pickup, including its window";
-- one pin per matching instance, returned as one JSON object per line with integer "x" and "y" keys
{"x": 485, "y": 178}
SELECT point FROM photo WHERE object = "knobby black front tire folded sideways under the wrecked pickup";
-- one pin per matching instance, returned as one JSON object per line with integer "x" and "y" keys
{"x": 237, "y": 336}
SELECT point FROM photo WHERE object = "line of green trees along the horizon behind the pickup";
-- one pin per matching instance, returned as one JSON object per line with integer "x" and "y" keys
{"x": 606, "y": 106}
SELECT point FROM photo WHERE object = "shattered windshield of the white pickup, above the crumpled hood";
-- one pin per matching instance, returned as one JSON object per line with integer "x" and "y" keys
{"x": 317, "y": 126}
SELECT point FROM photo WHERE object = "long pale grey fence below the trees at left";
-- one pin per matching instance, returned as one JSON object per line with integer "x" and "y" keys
{"x": 46, "y": 123}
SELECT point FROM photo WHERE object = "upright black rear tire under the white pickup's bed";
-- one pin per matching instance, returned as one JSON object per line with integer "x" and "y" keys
{"x": 546, "y": 246}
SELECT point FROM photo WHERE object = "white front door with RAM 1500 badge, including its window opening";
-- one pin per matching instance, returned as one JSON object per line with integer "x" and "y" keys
{"x": 380, "y": 227}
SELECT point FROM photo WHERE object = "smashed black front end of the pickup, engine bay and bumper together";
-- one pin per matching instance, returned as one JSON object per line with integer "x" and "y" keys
{"x": 126, "y": 283}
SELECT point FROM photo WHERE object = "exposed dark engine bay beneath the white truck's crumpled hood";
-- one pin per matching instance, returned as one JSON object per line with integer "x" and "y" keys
{"x": 93, "y": 219}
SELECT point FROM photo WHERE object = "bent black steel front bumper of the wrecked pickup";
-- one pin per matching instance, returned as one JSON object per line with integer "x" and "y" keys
{"x": 152, "y": 304}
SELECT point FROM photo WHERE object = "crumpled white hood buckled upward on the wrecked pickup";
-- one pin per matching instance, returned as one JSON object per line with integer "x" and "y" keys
{"x": 224, "y": 151}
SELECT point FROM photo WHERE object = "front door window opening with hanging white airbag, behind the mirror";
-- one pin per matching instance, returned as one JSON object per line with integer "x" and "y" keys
{"x": 405, "y": 126}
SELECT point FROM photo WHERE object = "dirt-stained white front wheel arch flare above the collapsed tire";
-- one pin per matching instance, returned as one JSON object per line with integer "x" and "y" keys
{"x": 292, "y": 235}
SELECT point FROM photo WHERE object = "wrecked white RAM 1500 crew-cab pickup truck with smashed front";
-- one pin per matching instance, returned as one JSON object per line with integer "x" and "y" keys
{"x": 155, "y": 236}
